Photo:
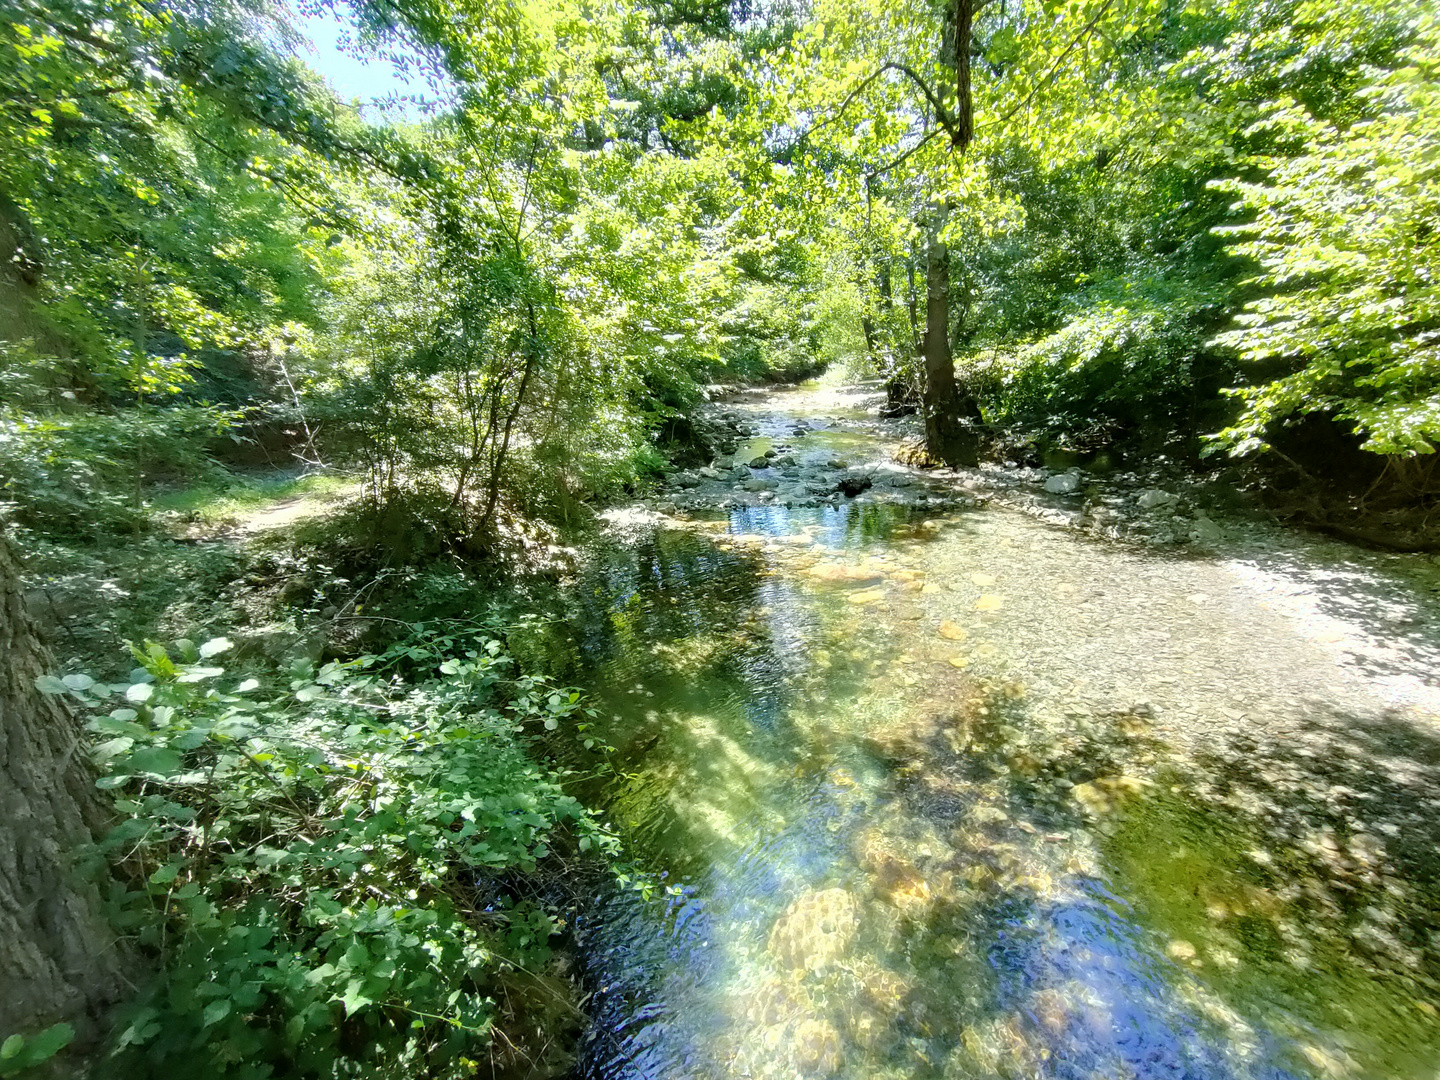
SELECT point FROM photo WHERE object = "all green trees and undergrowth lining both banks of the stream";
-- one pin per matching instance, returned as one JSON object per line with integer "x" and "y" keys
{"x": 1122, "y": 227}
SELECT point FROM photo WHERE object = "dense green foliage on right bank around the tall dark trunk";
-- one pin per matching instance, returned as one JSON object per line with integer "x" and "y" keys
{"x": 1158, "y": 202}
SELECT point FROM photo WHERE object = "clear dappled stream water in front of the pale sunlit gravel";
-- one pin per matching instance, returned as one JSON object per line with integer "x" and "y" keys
{"x": 955, "y": 891}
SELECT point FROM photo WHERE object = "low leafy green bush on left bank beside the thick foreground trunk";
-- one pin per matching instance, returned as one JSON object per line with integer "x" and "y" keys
{"x": 303, "y": 855}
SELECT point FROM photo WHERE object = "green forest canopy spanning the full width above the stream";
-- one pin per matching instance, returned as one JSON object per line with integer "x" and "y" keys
{"x": 1210, "y": 217}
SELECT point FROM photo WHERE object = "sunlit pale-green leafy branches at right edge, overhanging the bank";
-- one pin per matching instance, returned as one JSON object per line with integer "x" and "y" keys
{"x": 1344, "y": 235}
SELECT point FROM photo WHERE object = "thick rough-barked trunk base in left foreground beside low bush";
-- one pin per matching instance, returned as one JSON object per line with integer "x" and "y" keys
{"x": 58, "y": 958}
